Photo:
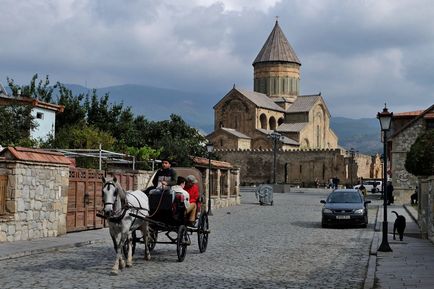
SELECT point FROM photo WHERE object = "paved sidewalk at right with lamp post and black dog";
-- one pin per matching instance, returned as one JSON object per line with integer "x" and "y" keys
{"x": 411, "y": 263}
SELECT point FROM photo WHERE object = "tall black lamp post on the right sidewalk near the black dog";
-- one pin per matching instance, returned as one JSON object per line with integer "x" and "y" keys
{"x": 385, "y": 118}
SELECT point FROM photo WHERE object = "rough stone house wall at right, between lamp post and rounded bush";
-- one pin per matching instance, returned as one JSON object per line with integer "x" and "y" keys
{"x": 404, "y": 183}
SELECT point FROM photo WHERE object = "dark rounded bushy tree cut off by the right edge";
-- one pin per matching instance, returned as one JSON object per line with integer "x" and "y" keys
{"x": 420, "y": 158}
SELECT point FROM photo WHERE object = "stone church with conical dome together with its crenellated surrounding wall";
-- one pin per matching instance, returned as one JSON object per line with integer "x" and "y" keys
{"x": 307, "y": 153}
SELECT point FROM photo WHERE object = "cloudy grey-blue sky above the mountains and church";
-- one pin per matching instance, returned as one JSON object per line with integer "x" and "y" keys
{"x": 359, "y": 54}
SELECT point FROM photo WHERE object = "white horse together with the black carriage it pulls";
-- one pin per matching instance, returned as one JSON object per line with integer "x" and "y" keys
{"x": 135, "y": 217}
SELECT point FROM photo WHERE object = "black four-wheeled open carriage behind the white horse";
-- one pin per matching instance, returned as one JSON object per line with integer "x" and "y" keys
{"x": 166, "y": 216}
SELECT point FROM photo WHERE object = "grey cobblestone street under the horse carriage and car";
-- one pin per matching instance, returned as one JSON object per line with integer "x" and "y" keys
{"x": 250, "y": 246}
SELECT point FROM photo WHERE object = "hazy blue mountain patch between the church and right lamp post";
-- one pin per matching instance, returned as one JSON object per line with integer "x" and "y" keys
{"x": 361, "y": 134}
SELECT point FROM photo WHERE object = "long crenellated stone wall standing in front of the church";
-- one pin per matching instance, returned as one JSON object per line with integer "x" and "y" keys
{"x": 297, "y": 167}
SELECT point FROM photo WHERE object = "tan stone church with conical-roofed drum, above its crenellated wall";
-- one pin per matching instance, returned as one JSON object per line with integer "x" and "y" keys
{"x": 244, "y": 120}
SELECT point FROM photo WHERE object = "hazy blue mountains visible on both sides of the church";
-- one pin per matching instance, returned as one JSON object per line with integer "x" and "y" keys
{"x": 196, "y": 108}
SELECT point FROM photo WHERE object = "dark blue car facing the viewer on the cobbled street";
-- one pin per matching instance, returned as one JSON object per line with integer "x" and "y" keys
{"x": 345, "y": 207}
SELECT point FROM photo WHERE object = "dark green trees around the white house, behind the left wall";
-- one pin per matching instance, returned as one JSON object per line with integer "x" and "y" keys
{"x": 89, "y": 120}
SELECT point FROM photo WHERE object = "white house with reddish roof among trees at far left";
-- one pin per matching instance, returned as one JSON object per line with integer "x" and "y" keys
{"x": 44, "y": 113}
